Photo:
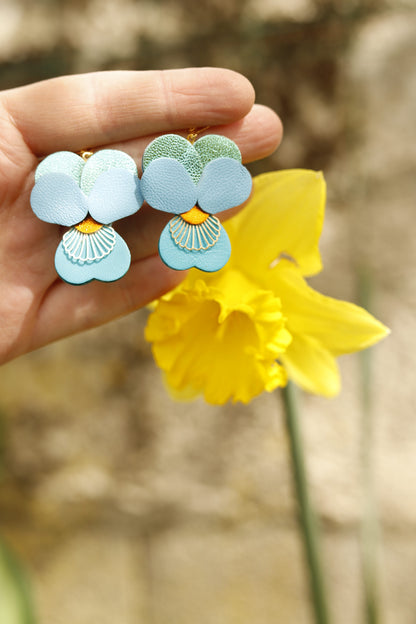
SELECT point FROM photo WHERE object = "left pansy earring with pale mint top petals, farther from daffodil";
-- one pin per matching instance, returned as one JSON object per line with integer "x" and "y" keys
{"x": 88, "y": 193}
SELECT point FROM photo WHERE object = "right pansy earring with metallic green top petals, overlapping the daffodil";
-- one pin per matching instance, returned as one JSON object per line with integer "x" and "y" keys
{"x": 194, "y": 180}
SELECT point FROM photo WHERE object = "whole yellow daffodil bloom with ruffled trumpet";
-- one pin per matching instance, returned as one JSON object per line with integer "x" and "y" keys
{"x": 233, "y": 334}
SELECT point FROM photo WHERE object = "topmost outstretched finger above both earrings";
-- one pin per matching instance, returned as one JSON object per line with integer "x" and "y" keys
{"x": 76, "y": 112}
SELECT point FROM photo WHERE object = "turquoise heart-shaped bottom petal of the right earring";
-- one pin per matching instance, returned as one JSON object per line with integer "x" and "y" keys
{"x": 212, "y": 259}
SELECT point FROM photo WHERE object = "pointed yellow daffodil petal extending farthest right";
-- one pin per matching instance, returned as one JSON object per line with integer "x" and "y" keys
{"x": 340, "y": 326}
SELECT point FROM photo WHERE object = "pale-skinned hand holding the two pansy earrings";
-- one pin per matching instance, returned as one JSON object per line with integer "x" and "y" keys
{"x": 121, "y": 110}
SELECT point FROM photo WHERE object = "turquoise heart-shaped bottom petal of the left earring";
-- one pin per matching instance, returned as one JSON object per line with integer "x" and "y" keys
{"x": 108, "y": 269}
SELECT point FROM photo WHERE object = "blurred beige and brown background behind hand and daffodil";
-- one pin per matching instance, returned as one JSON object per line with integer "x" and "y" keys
{"x": 126, "y": 507}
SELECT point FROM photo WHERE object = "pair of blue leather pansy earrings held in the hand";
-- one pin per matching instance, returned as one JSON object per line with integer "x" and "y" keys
{"x": 192, "y": 179}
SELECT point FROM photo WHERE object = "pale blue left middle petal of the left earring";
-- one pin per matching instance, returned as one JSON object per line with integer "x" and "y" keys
{"x": 57, "y": 198}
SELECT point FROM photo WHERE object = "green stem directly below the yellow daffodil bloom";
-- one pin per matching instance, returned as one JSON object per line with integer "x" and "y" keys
{"x": 307, "y": 518}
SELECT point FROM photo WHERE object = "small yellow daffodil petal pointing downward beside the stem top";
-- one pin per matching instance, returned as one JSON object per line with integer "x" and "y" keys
{"x": 311, "y": 366}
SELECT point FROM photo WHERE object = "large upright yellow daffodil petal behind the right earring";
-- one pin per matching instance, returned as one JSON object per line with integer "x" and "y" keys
{"x": 282, "y": 219}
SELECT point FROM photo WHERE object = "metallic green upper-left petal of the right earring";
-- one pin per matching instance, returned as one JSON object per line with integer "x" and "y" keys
{"x": 176, "y": 147}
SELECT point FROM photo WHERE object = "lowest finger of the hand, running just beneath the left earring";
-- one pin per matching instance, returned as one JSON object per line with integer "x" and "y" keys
{"x": 68, "y": 309}
